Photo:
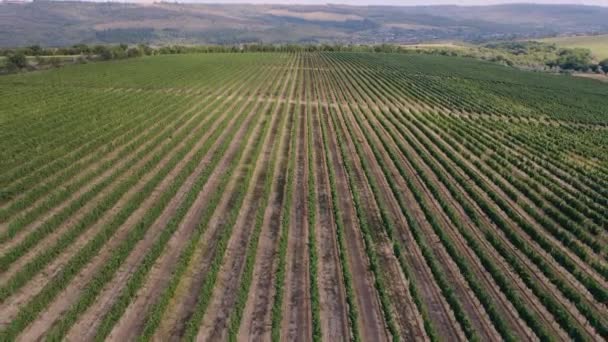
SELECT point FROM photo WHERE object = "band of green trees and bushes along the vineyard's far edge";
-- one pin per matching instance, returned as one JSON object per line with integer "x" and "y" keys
{"x": 516, "y": 54}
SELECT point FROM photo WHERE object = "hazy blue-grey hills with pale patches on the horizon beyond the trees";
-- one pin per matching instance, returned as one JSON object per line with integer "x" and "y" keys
{"x": 53, "y": 23}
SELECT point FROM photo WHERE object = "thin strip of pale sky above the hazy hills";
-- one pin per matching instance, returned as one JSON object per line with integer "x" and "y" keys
{"x": 408, "y": 2}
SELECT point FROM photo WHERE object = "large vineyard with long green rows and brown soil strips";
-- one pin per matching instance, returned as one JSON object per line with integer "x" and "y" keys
{"x": 302, "y": 196}
